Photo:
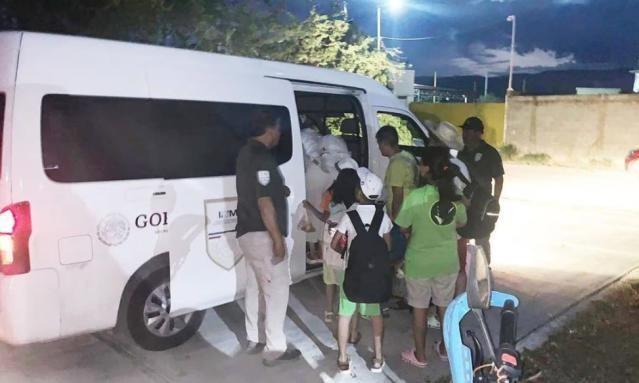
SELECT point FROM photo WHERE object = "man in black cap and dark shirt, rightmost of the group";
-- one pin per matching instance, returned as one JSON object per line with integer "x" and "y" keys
{"x": 485, "y": 166}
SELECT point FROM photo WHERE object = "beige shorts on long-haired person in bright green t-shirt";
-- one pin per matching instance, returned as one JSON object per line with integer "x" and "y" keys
{"x": 440, "y": 289}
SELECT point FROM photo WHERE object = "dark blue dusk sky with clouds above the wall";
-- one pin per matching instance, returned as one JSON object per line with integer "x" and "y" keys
{"x": 473, "y": 36}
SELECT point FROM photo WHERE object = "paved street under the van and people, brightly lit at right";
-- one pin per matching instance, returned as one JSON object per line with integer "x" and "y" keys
{"x": 563, "y": 233}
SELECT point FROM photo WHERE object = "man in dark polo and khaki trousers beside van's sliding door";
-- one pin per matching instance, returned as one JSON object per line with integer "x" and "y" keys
{"x": 261, "y": 230}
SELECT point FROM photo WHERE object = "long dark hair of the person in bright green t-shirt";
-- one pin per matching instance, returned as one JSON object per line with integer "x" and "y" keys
{"x": 442, "y": 173}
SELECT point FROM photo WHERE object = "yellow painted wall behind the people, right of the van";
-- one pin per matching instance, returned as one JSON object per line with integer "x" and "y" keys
{"x": 491, "y": 113}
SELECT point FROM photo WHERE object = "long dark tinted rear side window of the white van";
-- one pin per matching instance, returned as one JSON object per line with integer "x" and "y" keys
{"x": 86, "y": 138}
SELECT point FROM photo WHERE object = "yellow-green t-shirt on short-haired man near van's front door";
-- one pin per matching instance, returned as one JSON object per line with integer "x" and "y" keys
{"x": 401, "y": 172}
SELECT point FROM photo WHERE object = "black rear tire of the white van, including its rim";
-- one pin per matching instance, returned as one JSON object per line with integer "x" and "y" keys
{"x": 153, "y": 294}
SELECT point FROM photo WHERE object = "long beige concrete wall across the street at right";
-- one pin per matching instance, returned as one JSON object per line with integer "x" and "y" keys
{"x": 574, "y": 128}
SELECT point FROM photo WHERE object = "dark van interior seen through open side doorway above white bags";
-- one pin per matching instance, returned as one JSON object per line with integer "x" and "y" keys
{"x": 336, "y": 114}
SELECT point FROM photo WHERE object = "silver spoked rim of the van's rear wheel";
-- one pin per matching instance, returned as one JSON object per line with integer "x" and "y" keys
{"x": 157, "y": 309}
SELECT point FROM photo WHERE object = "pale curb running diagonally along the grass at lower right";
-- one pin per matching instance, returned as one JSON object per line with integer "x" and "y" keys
{"x": 537, "y": 336}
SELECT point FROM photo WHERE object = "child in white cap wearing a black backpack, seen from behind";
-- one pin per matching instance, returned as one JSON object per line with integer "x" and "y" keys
{"x": 365, "y": 233}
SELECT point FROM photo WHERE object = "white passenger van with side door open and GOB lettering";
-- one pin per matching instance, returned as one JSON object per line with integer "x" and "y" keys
{"x": 117, "y": 188}
